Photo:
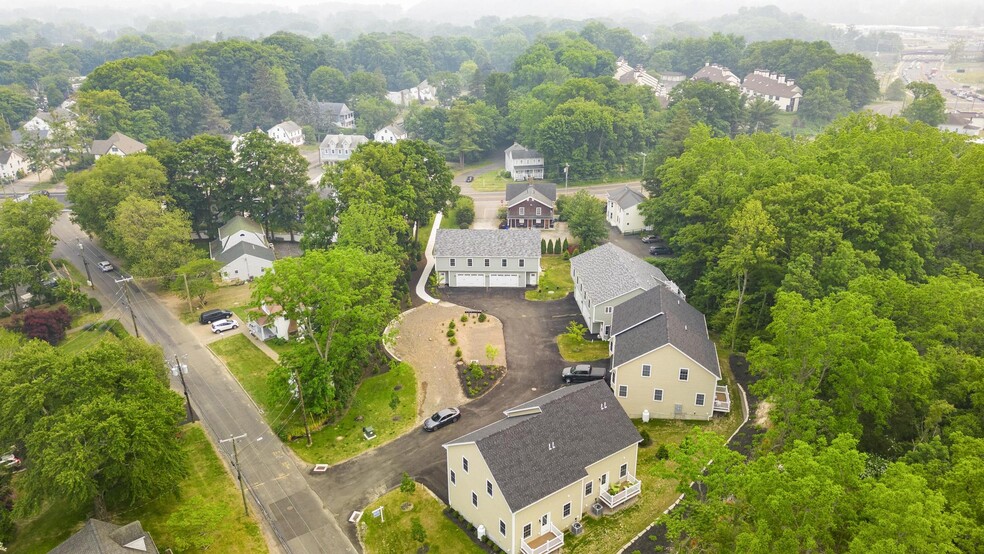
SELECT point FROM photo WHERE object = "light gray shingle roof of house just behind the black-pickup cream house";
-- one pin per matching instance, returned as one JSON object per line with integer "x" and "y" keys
{"x": 608, "y": 271}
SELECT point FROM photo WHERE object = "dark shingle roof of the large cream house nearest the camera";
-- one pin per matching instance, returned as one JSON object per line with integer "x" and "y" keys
{"x": 516, "y": 449}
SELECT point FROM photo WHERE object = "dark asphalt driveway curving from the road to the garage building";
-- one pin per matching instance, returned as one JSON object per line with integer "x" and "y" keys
{"x": 534, "y": 369}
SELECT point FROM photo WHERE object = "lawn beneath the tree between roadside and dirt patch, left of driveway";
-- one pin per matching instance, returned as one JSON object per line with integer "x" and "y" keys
{"x": 343, "y": 439}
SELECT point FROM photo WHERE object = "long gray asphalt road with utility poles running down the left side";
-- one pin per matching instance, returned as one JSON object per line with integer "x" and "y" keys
{"x": 292, "y": 510}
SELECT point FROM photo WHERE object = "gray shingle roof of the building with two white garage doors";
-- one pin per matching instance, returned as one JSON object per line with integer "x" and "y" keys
{"x": 488, "y": 242}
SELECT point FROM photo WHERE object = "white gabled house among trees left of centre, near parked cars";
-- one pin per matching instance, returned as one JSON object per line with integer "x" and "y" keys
{"x": 242, "y": 249}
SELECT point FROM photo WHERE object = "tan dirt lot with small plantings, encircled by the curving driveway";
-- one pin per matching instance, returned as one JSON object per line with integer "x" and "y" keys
{"x": 422, "y": 343}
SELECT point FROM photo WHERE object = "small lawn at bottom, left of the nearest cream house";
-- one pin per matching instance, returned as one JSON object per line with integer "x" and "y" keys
{"x": 393, "y": 534}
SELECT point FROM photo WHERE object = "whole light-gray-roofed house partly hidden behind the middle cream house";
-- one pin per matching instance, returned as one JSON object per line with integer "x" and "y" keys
{"x": 607, "y": 276}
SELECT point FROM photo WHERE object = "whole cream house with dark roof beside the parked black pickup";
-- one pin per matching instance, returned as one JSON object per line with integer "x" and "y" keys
{"x": 663, "y": 361}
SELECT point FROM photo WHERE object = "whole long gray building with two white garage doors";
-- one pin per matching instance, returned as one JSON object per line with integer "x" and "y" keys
{"x": 487, "y": 257}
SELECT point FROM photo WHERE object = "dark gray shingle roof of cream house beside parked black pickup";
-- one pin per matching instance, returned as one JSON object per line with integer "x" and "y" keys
{"x": 659, "y": 317}
